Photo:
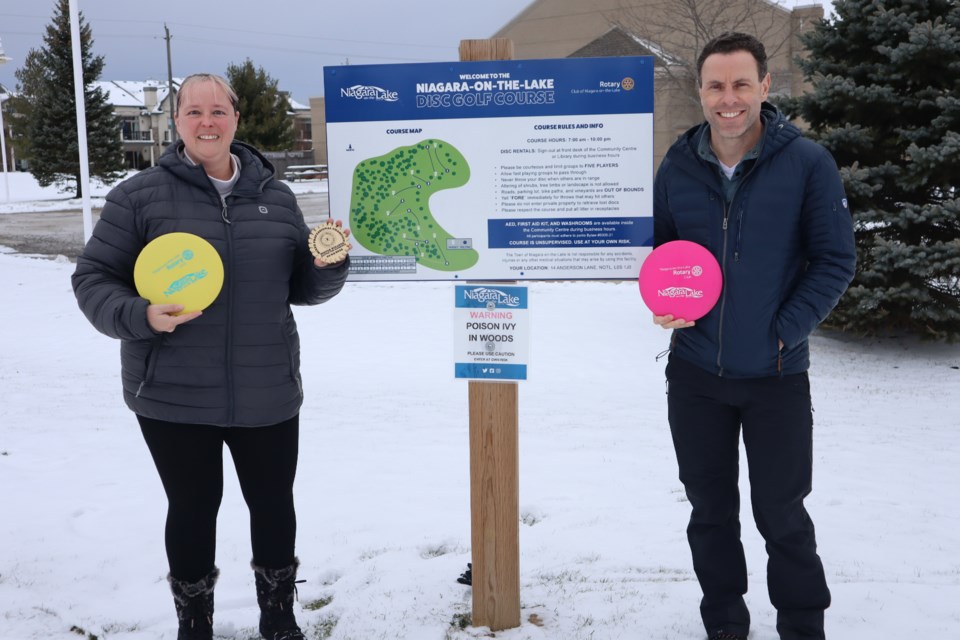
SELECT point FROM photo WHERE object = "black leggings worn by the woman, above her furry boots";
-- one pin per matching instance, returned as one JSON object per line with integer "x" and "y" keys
{"x": 189, "y": 458}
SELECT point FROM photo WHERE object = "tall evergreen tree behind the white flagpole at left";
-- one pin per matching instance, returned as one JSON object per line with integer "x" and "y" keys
{"x": 46, "y": 109}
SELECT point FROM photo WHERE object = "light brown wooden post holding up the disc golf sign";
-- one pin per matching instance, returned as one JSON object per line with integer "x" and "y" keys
{"x": 494, "y": 466}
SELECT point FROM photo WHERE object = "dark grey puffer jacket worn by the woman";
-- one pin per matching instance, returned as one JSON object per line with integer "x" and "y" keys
{"x": 238, "y": 364}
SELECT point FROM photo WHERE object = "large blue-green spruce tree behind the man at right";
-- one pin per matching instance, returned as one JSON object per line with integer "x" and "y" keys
{"x": 886, "y": 103}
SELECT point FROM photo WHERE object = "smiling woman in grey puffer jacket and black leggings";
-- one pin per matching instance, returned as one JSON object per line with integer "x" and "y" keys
{"x": 229, "y": 374}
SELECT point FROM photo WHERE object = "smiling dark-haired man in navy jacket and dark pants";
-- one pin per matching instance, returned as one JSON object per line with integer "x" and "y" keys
{"x": 769, "y": 204}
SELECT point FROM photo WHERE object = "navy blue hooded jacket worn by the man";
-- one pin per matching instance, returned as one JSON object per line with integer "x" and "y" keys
{"x": 785, "y": 245}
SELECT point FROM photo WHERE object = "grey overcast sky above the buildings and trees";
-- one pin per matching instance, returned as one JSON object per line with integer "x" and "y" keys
{"x": 291, "y": 39}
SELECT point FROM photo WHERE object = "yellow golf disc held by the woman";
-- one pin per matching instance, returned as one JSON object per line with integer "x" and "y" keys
{"x": 179, "y": 268}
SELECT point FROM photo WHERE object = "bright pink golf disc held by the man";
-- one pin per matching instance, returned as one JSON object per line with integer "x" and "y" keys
{"x": 680, "y": 278}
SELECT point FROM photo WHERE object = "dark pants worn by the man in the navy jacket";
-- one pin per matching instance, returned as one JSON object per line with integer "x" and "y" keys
{"x": 707, "y": 414}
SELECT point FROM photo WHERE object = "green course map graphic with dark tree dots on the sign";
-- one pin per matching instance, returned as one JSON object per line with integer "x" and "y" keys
{"x": 390, "y": 205}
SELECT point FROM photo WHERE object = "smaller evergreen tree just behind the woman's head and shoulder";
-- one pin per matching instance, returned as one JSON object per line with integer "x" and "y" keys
{"x": 265, "y": 120}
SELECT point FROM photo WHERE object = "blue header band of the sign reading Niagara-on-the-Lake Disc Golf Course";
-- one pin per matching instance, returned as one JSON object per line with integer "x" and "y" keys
{"x": 494, "y": 89}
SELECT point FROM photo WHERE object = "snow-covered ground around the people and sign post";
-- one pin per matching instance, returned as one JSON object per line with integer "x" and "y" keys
{"x": 383, "y": 483}
